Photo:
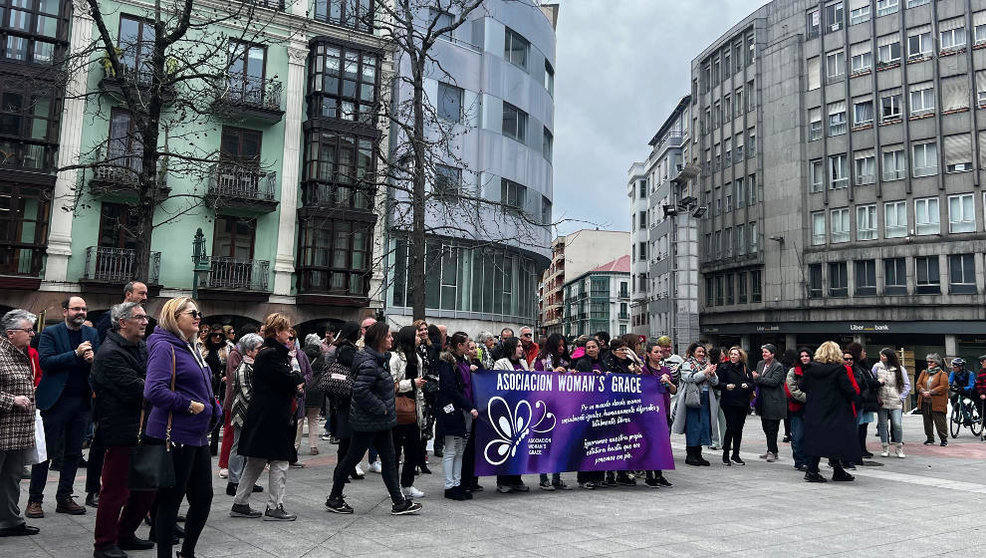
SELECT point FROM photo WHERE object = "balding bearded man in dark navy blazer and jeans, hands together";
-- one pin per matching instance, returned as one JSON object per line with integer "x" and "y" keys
{"x": 64, "y": 395}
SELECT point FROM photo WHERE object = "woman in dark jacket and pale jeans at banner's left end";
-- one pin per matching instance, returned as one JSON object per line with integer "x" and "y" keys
{"x": 456, "y": 413}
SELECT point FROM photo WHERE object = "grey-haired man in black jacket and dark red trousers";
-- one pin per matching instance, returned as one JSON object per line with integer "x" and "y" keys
{"x": 118, "y": 373}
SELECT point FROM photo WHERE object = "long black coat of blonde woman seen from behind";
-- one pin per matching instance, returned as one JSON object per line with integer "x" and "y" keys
{"x": 829, "y": 416}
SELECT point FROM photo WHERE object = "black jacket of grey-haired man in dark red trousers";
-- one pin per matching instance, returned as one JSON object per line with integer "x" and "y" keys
{"x": 117, "y": 376}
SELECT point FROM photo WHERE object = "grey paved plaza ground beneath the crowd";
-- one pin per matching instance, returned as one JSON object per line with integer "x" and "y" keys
{"x": 929, "y": 504}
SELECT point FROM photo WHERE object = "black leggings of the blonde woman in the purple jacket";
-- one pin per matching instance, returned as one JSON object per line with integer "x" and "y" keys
{"x": 193, "y": 480}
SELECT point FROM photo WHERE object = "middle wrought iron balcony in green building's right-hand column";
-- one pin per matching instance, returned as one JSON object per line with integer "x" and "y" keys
{"x": 239, "y": 186}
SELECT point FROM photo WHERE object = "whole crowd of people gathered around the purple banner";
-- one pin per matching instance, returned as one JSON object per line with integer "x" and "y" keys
{"x": 203, "y": 391}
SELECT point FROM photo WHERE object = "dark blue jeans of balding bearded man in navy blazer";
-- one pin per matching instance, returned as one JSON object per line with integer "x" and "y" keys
{"x": 67, "y": 419}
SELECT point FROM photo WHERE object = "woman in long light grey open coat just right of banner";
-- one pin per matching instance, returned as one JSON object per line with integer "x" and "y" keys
{"x": 694, "y": 414}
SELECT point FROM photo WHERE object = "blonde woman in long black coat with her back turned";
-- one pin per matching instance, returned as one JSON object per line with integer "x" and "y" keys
{"x": 830, "y": 413}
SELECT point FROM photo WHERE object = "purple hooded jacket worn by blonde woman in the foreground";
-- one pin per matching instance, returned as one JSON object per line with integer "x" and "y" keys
{"x": 193, "y": 383}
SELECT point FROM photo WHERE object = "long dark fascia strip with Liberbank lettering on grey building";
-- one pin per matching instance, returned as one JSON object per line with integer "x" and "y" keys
{"x": 854, "y": 327}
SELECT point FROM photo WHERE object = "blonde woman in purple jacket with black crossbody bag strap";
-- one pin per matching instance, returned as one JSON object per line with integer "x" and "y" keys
{"x": 193, "y": 410}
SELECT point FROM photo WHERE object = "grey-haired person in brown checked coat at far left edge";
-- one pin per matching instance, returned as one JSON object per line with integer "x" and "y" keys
{"x": 16, "y": 416}
